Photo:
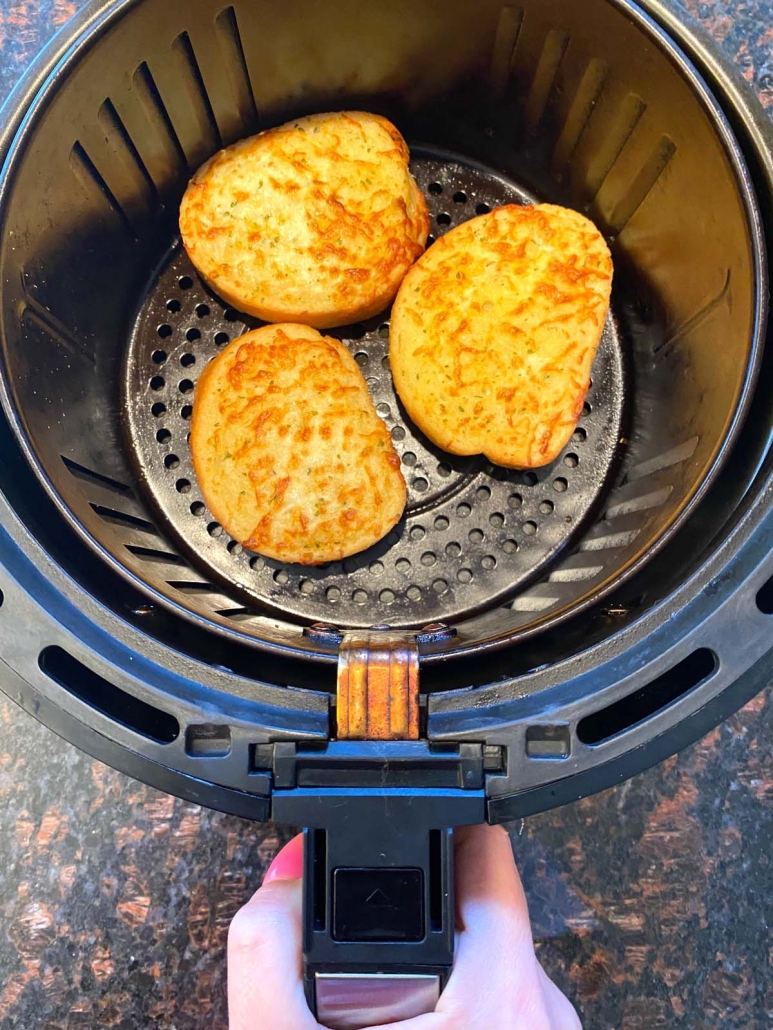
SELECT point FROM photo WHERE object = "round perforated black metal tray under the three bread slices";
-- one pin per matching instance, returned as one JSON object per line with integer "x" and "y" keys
{"x": 473, "y": 535}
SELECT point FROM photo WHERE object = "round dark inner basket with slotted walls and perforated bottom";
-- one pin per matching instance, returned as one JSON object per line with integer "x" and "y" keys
{"x": 532, "y": 109}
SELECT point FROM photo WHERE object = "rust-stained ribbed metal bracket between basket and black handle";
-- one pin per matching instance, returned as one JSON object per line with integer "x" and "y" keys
{"x": 378, "y": 695}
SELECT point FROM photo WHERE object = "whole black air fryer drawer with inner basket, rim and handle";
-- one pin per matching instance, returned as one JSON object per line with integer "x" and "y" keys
{"x": 575, "y": 624}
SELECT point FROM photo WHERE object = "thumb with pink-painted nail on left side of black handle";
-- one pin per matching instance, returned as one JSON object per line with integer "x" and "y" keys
{"x": 265, "y": 988}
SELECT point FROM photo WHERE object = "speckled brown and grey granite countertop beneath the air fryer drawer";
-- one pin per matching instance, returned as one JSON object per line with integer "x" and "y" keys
{"x": 652, "y": 903}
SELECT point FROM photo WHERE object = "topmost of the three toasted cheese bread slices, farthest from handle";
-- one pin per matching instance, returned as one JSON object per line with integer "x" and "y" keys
{"x": 316, "y": 222}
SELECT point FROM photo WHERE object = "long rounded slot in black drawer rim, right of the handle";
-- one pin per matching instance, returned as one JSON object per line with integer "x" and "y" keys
{"x": 650, "y": 700}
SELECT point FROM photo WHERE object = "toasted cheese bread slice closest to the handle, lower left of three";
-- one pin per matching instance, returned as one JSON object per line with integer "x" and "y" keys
{"x": 289, "y": 452}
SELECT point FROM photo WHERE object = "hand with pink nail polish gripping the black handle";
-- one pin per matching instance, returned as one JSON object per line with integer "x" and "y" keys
{"x": 497, "y": 982}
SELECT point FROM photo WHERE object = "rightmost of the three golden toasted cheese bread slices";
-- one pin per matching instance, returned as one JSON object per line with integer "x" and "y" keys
{"x": 495, "y": 330}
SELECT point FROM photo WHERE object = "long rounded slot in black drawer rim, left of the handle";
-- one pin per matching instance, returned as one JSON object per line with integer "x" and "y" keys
{"x": 93, "y": 690}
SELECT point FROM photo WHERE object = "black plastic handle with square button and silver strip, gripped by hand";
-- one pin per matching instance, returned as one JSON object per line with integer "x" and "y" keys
{"x": 379, "y": 891}
